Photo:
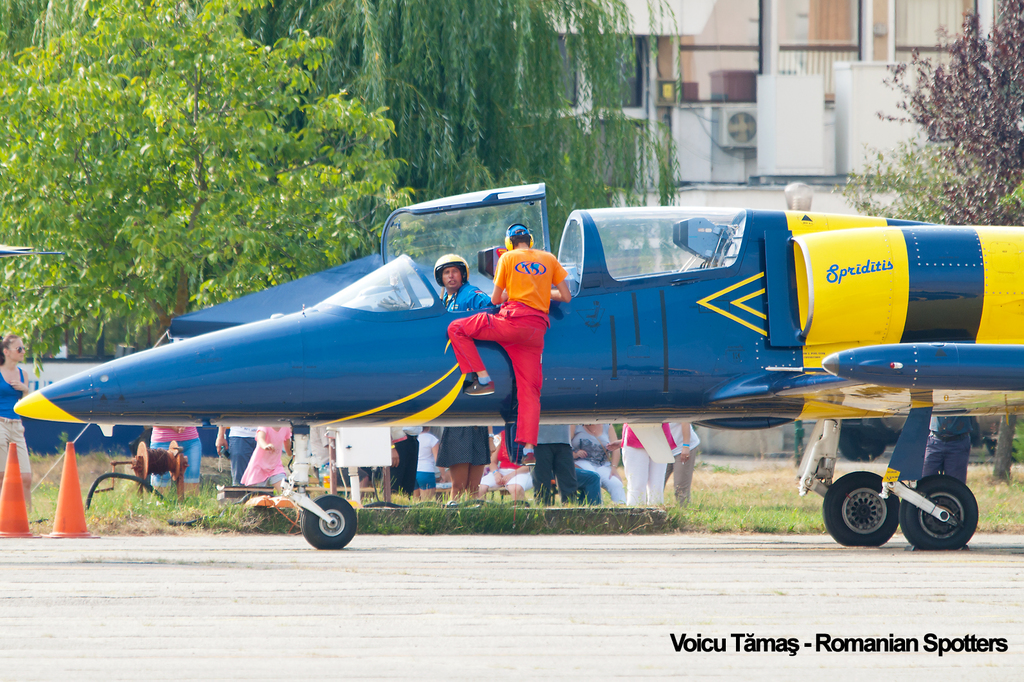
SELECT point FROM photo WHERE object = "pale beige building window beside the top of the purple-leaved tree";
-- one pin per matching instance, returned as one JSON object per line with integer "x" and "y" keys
{"x": 919, "y": 24}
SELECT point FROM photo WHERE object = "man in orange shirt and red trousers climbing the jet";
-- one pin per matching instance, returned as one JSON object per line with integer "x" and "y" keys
{"x": 526, "y": 283}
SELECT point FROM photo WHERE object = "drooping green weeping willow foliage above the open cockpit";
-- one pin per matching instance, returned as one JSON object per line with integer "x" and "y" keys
{"x": 493, "y": 93}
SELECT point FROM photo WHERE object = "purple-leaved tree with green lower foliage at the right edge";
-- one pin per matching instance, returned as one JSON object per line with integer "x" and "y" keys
{"x": 970, "y": 110}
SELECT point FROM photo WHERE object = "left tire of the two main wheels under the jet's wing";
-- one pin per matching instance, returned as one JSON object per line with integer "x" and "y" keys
{"x": 857, "y": 516}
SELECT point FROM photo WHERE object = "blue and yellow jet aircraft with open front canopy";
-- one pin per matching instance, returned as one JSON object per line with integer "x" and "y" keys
{"x": 733, "y": 319}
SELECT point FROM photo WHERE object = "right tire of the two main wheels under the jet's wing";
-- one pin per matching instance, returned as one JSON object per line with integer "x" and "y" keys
{"x": 925, "y": 532}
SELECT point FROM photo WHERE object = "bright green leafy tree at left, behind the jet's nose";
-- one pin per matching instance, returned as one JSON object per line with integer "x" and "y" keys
{"x": 178, "y": 163}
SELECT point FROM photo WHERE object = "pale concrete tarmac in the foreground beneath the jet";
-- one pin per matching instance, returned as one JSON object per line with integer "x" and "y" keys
{"x": 259, "y": 608}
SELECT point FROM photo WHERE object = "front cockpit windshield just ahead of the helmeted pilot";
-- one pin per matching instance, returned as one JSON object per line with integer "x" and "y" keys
{"x": 398, "y": 286}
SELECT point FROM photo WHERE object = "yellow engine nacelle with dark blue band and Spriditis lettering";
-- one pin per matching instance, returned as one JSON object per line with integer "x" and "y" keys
{"x": 869, "y": 286}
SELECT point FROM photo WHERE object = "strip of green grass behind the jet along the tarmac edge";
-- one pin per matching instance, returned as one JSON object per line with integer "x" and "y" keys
{"x": 726, "y": 500}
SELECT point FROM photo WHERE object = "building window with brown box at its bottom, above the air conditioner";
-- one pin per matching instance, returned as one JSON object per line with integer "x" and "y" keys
{"x": 719, "y": 52}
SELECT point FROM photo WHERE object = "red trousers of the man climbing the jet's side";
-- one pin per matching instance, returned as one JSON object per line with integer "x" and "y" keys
{"x": 520, "y": 330}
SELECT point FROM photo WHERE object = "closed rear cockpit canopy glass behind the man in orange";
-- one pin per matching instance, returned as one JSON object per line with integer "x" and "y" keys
{"x": 666, "y": 240}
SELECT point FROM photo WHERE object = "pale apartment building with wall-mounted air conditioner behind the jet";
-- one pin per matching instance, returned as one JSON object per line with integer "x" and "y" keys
{"x": 762, "y": 93}
